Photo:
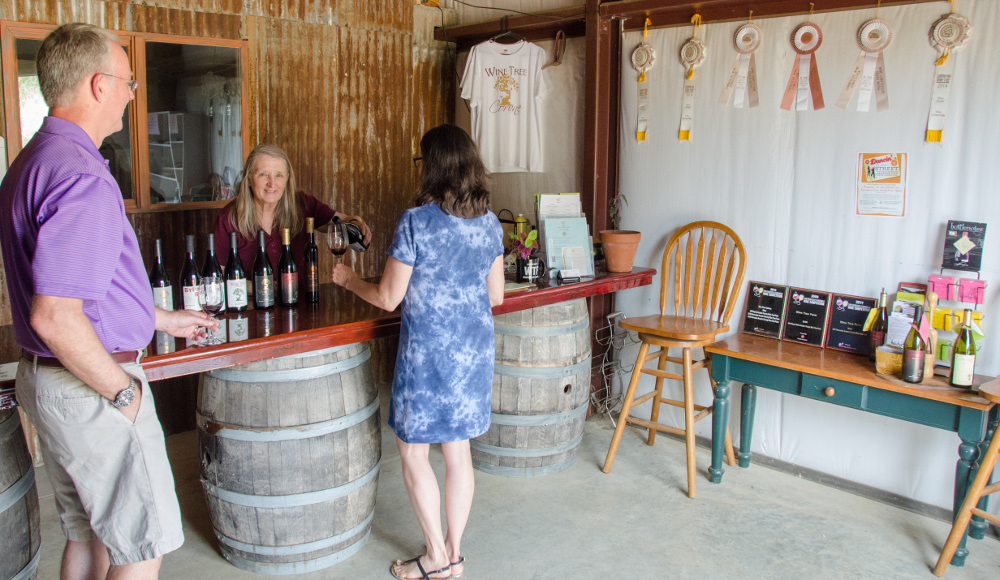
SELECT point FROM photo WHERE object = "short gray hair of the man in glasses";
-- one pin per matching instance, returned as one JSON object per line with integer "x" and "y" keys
{"x": 69, "y": 54}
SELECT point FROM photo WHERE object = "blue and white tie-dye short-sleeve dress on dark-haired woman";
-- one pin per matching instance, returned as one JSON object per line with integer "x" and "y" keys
{"x": 442, "y": 386}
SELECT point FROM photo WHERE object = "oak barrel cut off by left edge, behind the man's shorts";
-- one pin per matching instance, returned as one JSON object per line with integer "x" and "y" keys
{"x": 19, "y": 519}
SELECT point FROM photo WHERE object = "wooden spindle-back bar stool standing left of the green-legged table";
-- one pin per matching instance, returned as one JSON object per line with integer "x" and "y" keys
{"x": 703, "y": 264}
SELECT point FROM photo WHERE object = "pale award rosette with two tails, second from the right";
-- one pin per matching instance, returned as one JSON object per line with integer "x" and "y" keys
{"x": 868, "y": 75}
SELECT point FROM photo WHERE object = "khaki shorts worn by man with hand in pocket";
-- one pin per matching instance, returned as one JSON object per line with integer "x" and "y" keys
{"x": 111, "y": 477}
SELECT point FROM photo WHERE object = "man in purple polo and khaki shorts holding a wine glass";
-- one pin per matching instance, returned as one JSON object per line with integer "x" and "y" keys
{"x": 82, "y": 308}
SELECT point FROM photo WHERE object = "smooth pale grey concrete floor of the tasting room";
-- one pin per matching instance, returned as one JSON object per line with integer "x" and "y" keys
{"x": 636, "y": 522}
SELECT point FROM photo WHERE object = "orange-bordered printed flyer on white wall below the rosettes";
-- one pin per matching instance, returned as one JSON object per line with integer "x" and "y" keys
{"x": 881, "y": 184}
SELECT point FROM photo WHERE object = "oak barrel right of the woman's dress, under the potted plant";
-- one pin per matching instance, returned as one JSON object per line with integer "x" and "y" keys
{"x": 541, "y": 391}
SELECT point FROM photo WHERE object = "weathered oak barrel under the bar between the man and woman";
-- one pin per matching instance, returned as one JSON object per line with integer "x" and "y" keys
{"x": 290, "y": 450}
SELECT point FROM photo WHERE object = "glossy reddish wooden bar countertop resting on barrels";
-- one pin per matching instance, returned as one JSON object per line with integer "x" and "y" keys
{"x": 339, "y": 318}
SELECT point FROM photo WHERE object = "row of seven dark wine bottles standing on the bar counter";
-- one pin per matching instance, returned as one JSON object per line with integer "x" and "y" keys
{"x": 268, "y": 285}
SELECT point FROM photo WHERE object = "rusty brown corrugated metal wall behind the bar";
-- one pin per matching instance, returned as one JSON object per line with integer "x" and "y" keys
{"x": 332, "y": 82}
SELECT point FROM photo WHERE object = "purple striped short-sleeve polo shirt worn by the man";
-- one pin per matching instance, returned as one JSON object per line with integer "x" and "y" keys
{"x": 64, "y": 232}
